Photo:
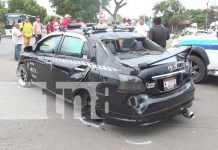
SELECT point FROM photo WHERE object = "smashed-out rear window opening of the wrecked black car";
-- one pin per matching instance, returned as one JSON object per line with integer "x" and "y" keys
{"x": 132, "y": 48}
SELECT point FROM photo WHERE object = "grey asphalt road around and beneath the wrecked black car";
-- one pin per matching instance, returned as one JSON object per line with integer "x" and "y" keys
{"x": 30, "y": 121}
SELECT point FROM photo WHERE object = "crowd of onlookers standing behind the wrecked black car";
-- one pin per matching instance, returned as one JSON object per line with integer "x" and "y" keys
{"x": 22, "y": 33}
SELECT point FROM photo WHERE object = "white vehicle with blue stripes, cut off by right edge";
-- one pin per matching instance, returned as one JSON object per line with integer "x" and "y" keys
{"x": 201, "y": 67}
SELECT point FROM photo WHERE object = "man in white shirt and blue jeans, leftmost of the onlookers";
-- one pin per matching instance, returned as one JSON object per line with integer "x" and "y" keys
{"x": 17, "y": 39}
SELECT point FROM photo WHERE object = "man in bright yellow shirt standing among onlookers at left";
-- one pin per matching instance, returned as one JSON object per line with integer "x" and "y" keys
{"x": 27, "y": 30}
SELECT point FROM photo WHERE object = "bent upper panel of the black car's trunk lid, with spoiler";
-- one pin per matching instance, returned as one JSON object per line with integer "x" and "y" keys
{"x": 149, "y": 60}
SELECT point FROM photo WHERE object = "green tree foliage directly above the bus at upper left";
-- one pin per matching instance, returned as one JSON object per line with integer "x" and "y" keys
{"x": 29, "y": 7}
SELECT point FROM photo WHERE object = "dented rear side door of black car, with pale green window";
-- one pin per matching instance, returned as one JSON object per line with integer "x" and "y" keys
{"x": 73, "y": 61}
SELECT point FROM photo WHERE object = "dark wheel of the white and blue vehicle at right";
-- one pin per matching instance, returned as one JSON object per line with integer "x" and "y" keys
{"x": 199, "y": 70}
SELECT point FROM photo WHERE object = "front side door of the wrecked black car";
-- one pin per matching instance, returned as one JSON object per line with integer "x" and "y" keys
{"x": 45, "y": 55}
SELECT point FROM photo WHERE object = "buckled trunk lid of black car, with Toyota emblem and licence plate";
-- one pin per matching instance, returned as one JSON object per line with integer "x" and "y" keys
{"x": 163, "y": 73}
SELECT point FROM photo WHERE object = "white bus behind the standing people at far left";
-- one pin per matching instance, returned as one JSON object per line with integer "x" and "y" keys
{"x": 10, "y": 18}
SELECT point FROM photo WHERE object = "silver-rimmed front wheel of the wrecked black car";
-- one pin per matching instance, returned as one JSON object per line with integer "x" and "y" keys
{"x": 23, "y": 77}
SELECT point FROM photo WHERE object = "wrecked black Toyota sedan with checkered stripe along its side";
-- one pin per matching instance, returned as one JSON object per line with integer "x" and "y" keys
{"x": 138, "y": 82}
